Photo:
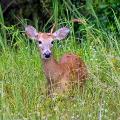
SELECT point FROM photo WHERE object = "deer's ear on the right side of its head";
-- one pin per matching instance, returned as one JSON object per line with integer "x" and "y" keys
{"x": 61, "y": 33}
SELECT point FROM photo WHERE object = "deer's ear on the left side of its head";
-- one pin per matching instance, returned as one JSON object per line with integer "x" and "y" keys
{"x": 31, "y": 32}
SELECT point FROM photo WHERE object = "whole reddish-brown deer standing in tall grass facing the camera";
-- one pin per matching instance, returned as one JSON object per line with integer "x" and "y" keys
{"x": 61, "y": 74}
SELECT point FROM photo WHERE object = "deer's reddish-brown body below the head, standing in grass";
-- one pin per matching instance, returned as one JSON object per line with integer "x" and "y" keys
{"x": 60, "y": 75}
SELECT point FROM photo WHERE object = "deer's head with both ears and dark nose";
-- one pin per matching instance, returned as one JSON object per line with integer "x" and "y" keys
{"x": 45, "y": 40}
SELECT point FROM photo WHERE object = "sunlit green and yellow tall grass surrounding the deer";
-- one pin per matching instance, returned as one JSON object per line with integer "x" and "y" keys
{"x": 22, "y": 80}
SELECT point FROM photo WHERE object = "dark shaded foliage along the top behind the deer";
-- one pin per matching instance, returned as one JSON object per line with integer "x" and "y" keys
{"x": 43, "y": 13}
